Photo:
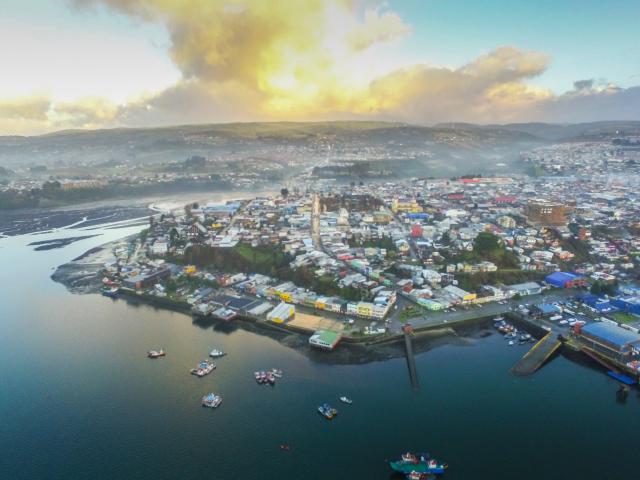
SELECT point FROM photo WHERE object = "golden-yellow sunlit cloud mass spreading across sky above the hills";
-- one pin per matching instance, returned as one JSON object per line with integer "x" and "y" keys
{"x": 244, "y": 60}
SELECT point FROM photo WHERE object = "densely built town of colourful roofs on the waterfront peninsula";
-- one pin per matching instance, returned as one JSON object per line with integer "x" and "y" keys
{"x": 360, "y": 263}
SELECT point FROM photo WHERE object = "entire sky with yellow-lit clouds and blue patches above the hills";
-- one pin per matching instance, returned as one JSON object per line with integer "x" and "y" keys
{"x": 141, "y": 63}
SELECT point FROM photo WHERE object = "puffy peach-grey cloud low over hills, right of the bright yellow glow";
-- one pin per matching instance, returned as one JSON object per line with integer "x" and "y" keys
{"x": 490, "y": 88}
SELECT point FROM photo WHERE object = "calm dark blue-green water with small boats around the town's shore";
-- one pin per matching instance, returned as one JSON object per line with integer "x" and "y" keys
{"x": 78, "y": 399}
